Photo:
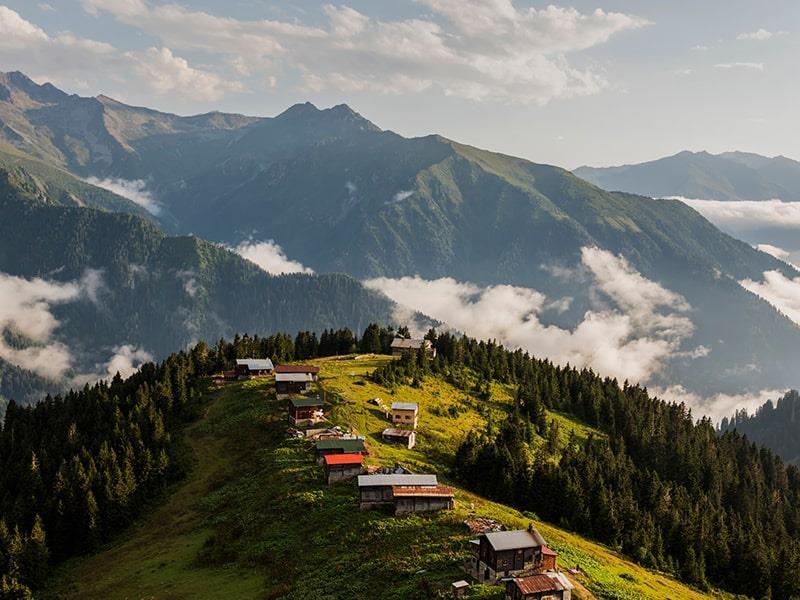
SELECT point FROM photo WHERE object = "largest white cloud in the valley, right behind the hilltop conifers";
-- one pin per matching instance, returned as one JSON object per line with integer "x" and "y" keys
{"x": 634, "y": 327}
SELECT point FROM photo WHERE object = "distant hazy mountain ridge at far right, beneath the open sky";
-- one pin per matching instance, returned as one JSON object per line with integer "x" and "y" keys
{"x": 733, "y": 176}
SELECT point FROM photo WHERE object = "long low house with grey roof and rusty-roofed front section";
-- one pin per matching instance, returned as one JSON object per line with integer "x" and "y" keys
{"x": 404, "y": 492}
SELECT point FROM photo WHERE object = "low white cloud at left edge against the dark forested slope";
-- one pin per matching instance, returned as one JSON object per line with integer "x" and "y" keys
{"x": 25, "y": 310}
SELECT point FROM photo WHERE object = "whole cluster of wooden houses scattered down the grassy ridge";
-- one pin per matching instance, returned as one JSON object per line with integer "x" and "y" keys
{"x": 518, "y": 559}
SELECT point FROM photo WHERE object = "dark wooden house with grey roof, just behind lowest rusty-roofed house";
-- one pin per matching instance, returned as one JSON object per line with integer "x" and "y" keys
{"x": 499, "y": 554}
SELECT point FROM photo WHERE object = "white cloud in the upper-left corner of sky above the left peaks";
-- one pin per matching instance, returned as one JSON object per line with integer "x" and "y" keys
{"x": 65, "y": 58}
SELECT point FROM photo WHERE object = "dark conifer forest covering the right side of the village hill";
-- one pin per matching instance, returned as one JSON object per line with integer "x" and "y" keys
{"x": 663, "y": 488}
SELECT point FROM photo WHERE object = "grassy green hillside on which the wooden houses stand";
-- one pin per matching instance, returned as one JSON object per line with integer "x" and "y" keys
{"x": 255, "y": 520}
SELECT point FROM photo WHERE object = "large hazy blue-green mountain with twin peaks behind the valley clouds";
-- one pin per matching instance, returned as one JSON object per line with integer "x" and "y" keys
{"x": 341, "y": 195}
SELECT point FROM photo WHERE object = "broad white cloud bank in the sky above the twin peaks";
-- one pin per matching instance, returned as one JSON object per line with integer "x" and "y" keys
{"x": 474, "y": 49}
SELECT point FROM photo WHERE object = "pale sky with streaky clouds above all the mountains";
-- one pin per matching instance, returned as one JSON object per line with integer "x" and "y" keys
{"x": 601, "y": 83}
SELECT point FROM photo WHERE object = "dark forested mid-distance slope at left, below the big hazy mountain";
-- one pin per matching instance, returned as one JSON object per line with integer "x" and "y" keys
{"x": 142, "y": 289}
